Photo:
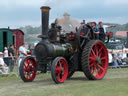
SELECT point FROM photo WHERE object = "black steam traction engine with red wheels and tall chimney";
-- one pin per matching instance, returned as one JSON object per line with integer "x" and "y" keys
{"x": 66, "y": 53}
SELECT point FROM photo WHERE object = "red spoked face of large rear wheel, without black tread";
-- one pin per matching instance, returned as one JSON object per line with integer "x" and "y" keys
{"x": 98, "y": 60}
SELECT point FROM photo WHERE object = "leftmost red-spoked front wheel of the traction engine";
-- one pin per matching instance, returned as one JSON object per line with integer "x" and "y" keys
{"x": 28, "y": 69}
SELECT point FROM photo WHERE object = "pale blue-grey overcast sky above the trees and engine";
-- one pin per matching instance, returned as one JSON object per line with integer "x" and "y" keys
{"x": 16, "y": 13}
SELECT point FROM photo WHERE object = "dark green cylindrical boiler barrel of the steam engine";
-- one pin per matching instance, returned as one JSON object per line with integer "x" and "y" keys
{"x": 44, "y": 51}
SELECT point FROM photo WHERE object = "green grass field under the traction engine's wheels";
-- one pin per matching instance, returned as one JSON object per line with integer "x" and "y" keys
{"x": 115, "y": 83}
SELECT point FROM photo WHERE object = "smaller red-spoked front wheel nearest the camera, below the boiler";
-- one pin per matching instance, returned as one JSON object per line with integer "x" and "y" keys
{"x": 59, "y": 70}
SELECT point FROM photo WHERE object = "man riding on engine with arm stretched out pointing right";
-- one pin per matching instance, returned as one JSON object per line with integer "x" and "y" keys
{"x": 102, "y": 30}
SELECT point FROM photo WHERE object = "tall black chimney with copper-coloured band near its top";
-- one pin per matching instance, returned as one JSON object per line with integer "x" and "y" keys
{"x": 45, "y": 21}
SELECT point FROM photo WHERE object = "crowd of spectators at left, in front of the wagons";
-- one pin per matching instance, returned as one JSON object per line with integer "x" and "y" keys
{"x": 12, "y": 56}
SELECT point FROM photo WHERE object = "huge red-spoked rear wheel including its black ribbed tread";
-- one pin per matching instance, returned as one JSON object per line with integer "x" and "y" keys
{"x": 95, "y": 60}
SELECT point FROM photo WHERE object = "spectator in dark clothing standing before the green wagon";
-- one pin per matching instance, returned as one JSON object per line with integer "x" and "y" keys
{"x": 11, "y": 54}
